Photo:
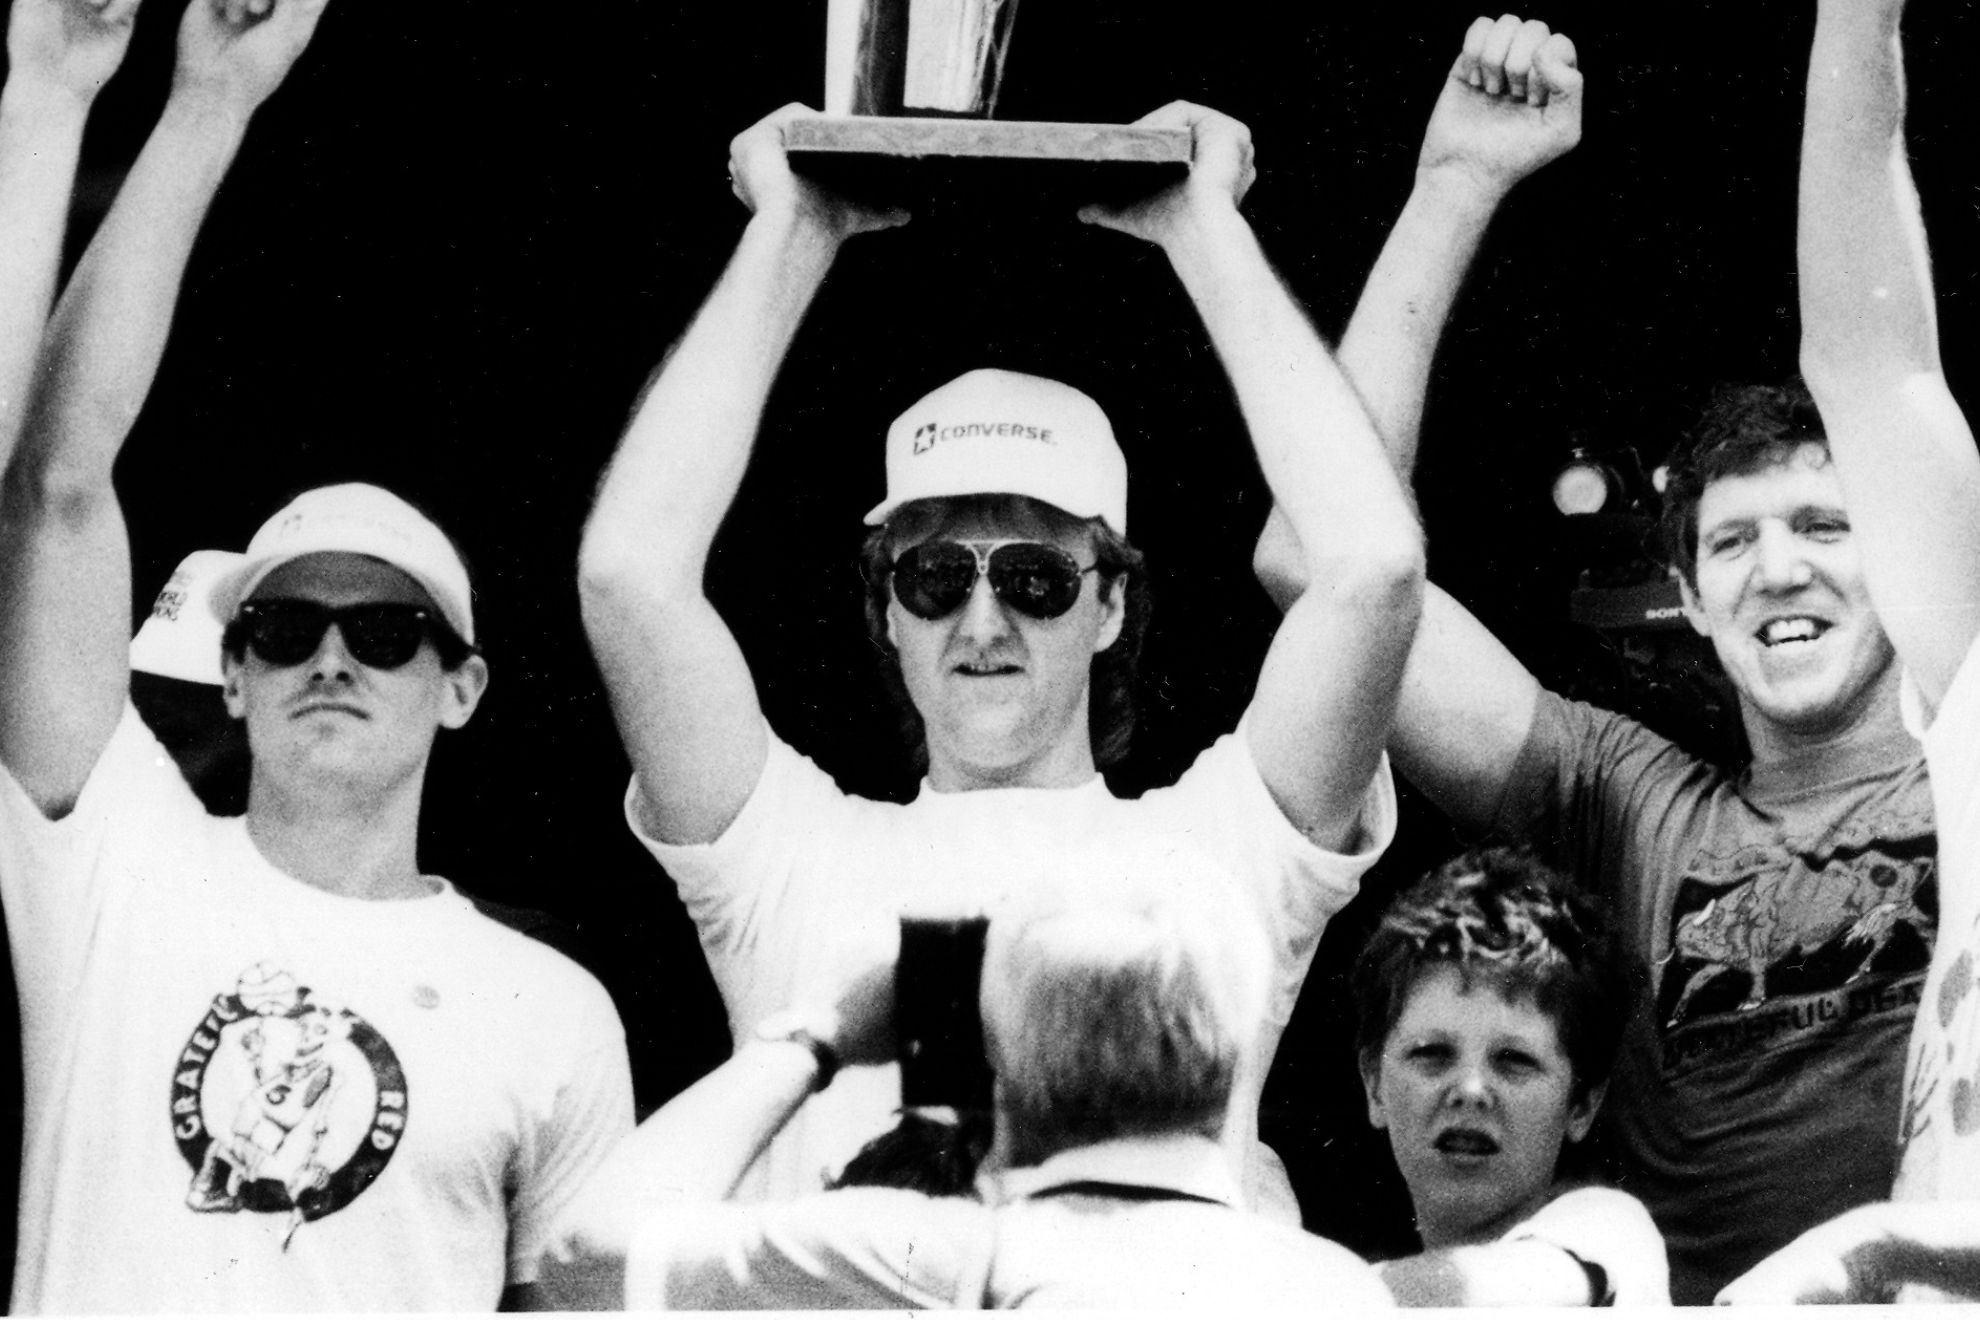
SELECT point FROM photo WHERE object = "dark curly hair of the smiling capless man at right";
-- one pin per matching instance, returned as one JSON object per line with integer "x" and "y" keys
{"x": 1743, "y": 430}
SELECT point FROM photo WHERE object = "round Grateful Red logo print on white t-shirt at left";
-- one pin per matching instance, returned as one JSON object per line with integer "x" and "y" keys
{"x": 284, "y": 1103}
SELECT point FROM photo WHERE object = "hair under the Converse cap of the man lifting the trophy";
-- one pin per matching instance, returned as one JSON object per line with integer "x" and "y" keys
{"x": 1112, "y": 707}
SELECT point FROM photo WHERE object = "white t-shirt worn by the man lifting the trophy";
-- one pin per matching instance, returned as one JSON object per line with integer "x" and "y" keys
{"x": 807, "y": 872}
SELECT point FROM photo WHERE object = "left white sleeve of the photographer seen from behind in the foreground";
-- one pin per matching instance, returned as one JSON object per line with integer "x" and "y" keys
{"x": 868, "y": 1248}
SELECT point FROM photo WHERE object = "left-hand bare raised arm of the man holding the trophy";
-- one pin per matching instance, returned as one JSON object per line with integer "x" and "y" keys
{"x": 680, "y": 688}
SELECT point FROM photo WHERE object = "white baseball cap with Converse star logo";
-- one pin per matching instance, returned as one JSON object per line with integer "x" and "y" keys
{"x": 993, "y": 432}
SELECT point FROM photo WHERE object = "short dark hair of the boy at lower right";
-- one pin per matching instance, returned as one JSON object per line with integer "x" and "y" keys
{"x": 1514, "y": 921}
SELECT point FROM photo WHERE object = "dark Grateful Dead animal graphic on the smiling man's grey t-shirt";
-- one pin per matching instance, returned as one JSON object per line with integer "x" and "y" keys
{"x": 1779, "y": 945}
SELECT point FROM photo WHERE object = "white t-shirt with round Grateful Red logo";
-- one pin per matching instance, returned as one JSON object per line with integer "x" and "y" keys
{"x": 247, "y": 1093}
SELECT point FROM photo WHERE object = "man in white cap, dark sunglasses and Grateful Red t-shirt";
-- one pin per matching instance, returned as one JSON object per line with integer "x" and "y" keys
{"x": 270, "y": 1064}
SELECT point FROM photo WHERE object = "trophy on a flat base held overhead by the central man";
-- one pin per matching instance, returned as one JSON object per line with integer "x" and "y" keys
{"x": 912, "y": 92}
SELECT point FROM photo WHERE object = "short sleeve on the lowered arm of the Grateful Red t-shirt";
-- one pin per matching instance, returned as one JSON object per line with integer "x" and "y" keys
{"x": 591, "y": 1117}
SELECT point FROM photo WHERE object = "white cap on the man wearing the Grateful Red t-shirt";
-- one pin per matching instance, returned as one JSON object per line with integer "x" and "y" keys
{"x": 355, "y": 519}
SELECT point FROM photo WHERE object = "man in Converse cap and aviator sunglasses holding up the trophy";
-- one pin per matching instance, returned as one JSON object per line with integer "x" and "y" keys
{"x": 1003, "y": 585}
